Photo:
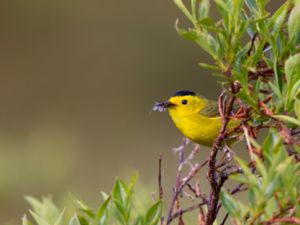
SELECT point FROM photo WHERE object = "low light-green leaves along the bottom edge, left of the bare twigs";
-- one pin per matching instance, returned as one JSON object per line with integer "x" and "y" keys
{"x": 117, "y": 208}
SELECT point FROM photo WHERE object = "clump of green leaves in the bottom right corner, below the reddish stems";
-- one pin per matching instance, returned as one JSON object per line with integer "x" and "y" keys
{"x": 272, "y": 191}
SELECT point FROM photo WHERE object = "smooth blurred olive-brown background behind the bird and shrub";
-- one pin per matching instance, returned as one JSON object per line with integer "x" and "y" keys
{"x": 78, "y": 81}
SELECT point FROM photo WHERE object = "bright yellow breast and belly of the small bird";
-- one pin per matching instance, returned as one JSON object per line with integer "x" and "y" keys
{"x": 200, "y": 129}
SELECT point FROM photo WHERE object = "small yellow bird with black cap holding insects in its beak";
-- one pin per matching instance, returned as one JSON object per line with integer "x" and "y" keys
{"x": 197, "y": 117}
